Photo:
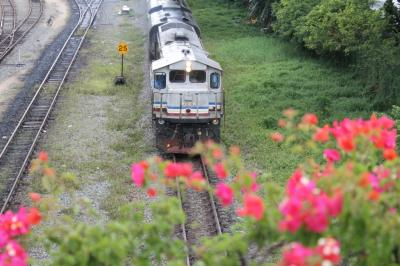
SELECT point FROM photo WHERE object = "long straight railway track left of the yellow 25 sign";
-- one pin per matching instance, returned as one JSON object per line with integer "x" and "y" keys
{"x": 16, "y": 153}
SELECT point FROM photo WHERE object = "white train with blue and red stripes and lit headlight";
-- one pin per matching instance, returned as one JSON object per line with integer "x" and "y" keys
{"x": 187, "y": 95}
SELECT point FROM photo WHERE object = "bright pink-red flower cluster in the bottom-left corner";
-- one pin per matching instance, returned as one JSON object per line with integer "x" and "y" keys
{"x": 11, "y": 226}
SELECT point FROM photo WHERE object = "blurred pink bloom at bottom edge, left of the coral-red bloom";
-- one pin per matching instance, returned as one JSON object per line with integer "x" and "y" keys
{"x": 296, "y": 255}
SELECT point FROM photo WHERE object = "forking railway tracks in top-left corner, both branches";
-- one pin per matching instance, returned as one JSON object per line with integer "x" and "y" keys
{"x": 8, "y": 40}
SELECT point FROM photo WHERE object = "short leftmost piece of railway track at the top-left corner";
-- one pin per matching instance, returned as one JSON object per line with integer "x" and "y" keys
{"x": 7, "y": 18}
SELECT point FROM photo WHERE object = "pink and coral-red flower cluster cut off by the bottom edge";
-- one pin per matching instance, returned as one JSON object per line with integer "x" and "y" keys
{"x": 326, "y": 253}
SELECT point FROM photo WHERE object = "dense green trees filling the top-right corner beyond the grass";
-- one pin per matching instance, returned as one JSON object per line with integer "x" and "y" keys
{"x": 353, "y": 32}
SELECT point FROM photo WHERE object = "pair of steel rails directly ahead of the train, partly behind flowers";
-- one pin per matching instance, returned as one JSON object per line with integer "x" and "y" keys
{"x": 212, "y": 203}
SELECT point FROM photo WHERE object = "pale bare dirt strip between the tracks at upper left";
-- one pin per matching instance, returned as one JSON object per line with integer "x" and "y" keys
{"x": 54, "y": 18}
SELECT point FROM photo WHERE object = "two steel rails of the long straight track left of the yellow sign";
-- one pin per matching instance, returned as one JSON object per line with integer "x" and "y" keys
{"x": 82, "y": 17}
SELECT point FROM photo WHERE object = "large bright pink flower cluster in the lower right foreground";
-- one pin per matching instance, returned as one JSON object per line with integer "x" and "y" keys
{"x": 306, "y": 204}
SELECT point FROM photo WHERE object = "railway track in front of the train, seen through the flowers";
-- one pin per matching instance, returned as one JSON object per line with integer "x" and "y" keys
{"x": 204, "y": 216}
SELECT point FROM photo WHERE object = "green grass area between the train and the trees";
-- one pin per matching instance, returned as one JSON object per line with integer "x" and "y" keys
{"x": 265, "y": 75}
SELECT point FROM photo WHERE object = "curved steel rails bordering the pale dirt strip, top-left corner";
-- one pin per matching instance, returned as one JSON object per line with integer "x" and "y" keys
{"x": 20, "y": 31}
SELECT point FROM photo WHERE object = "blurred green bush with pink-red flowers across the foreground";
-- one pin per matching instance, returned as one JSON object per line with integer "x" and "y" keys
{"x": 341, "y": 203}
